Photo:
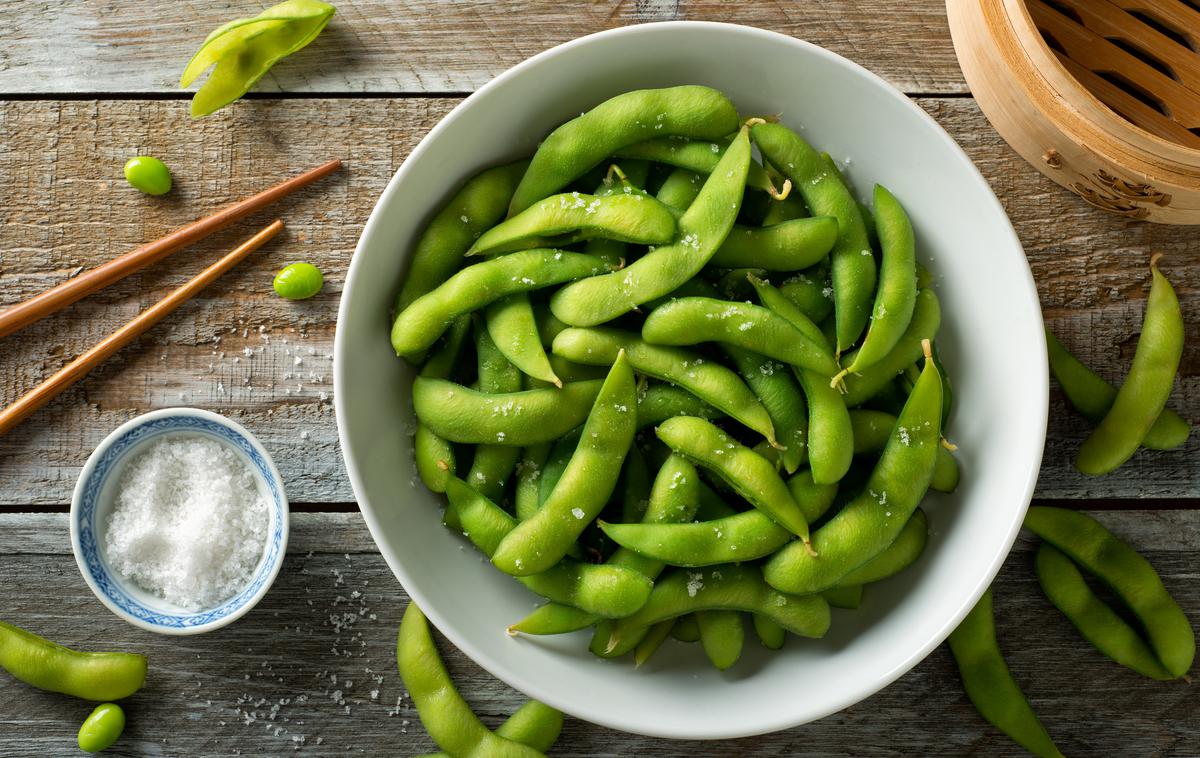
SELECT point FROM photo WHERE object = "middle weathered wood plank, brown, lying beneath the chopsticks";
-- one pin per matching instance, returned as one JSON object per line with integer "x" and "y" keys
{"x": 236, "y": 350}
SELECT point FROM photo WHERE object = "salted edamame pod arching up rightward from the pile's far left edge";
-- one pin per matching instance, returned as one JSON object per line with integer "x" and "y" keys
{"x": 422, "y": 323}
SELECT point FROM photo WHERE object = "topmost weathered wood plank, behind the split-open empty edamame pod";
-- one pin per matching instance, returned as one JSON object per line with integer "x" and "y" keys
{"x": 430, "y": 46}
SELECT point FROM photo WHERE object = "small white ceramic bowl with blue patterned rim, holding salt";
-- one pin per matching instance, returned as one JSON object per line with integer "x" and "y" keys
{"x": 94, "y": 501}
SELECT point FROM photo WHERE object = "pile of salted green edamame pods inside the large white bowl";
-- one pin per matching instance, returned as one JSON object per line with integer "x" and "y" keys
{"x": 703, "y": 387}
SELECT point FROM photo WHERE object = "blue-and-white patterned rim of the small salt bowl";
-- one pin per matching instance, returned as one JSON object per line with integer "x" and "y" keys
{"x": 274, "y": 551}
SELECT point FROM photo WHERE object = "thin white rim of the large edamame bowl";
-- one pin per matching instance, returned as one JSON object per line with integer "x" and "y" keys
{"x": 530, "y": 687}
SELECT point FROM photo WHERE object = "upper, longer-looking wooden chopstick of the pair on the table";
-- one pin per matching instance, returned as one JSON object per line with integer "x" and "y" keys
{"x": 44, "y": 304}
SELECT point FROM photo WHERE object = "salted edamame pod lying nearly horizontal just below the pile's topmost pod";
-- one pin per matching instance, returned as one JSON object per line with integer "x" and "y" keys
{"x": 632, "y": 218}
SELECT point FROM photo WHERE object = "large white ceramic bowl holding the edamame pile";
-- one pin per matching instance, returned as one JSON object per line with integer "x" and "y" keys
{"x": 992, "y": 342}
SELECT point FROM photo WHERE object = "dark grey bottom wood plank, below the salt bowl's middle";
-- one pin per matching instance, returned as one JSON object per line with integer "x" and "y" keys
{"x": 272, "y": 683}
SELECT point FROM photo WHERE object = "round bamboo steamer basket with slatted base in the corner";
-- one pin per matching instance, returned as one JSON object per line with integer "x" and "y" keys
{"x": 1102, "y": 97}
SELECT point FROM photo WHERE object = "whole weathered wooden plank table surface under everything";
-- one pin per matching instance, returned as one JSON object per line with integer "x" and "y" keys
{"x": 311, "y": 671}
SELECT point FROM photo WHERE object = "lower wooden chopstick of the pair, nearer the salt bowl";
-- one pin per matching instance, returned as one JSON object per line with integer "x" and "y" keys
{"x": 76, "y": 370}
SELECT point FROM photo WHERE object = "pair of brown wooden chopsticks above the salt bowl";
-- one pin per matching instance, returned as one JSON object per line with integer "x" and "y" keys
{"x": 47, "y": 303}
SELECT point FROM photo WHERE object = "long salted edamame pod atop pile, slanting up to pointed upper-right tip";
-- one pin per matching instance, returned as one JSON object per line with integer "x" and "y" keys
{"x": 703, "y": 228}
